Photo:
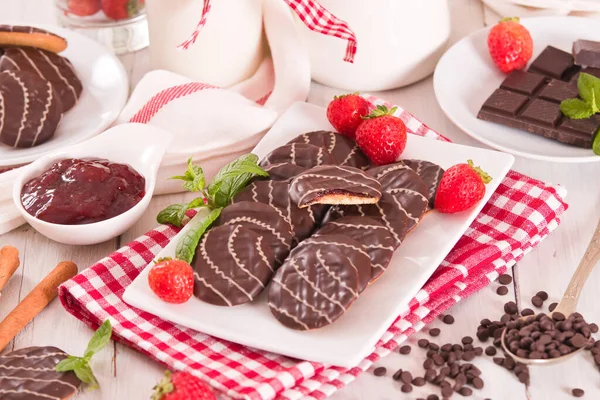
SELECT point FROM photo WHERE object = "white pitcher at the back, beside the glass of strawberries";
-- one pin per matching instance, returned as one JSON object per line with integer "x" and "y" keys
{"x": 228, "y": 49}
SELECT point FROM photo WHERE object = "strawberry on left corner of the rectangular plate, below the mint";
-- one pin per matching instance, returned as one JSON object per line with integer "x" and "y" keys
{"x": 172, "y": 280}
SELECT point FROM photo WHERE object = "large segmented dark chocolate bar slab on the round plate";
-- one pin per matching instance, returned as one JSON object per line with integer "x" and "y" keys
{"x": 530, "y": 101}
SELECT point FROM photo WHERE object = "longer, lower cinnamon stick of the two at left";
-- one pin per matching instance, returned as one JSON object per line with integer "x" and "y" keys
{"x": 35, "y": 301}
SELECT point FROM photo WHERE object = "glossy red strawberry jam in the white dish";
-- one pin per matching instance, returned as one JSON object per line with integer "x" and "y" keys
{"x": 75, "y": 192}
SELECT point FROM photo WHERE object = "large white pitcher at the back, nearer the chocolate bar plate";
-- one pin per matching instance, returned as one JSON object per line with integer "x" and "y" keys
{"x": 399, "y": 42}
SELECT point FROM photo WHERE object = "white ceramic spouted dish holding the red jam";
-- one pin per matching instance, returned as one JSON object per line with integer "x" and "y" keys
{"x": 140, "y": 146}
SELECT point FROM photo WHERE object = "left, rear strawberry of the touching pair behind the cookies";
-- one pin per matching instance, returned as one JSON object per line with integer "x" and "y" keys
{"x": 345, "y": 113}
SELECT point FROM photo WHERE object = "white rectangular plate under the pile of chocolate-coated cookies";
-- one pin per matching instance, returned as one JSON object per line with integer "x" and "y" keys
{"x": 352, "y": 337}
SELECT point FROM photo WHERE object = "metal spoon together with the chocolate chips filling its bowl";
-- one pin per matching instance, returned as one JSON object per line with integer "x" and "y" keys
{"x": 549, "y": 338}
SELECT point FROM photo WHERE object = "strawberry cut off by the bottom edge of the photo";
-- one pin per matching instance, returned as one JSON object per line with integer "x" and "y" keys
{"x": 182, "y": 386}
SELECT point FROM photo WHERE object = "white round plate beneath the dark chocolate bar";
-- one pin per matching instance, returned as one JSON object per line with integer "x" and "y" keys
{"x": 466, "y": 76}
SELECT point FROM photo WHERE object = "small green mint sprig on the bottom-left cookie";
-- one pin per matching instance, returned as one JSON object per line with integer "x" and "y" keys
{"x": 81, "y": 365}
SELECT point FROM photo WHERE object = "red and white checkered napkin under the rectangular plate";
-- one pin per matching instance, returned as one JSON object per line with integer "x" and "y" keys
{"x": 518, "y": 216}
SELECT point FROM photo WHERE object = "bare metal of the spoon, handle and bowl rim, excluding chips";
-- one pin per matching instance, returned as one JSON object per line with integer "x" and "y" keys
{"x": 569, "y": 300}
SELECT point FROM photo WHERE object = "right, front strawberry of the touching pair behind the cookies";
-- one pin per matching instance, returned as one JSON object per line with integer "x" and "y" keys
{"x": 382, "y": 136}
